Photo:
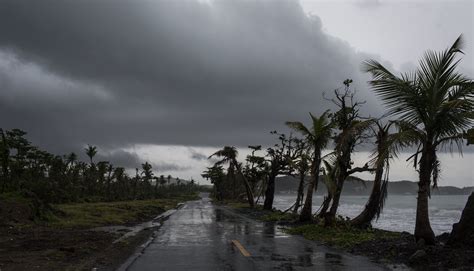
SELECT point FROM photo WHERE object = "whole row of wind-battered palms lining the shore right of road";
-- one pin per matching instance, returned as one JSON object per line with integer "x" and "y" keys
{"x": 431, "y": 110}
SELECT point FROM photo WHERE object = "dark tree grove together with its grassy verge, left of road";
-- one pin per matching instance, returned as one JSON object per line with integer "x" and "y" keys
{"x": 37, "y": 186}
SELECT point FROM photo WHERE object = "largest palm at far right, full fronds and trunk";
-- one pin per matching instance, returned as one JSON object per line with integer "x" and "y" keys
{"x": 434, "y": 104}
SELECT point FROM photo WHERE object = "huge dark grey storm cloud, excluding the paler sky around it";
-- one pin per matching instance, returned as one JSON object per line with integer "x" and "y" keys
{"x": 114, "y": 73}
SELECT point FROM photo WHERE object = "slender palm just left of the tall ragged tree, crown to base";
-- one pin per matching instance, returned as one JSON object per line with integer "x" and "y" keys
{"x": 317, "y": 136}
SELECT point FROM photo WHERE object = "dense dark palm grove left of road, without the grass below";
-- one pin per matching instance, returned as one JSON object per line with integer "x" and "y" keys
{"x": 28, "y": 170}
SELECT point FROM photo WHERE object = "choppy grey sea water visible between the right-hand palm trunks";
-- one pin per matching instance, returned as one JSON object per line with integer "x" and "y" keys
{"x": 399, "y": 211}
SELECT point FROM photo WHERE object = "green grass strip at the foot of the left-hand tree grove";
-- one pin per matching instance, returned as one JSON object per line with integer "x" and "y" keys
{"x": 20, "y": 211}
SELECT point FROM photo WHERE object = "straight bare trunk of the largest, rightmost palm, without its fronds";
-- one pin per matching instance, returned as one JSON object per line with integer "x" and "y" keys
{"x": 423, "y": 228}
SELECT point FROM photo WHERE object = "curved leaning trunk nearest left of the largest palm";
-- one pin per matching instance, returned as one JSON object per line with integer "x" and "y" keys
{"x": 364, "y": 219}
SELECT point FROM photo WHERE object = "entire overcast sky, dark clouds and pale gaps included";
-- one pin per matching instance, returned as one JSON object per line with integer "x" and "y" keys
{"x": 169, "y": 81}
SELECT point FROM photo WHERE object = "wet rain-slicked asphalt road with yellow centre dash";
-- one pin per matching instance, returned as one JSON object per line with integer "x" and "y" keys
{"x": 199, "y": 237}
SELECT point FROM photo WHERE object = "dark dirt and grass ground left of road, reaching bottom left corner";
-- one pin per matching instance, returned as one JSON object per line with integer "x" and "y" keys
{"x": 64, "y": 237}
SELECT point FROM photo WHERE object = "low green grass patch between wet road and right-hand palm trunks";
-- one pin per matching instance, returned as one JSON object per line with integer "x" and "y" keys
{"x": 340, "y": 236}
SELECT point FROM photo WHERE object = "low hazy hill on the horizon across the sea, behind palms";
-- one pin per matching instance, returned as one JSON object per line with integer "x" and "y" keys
{"x": 288, "y": 184}
